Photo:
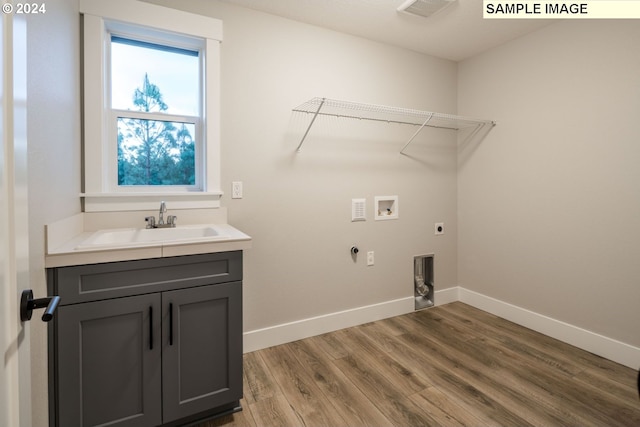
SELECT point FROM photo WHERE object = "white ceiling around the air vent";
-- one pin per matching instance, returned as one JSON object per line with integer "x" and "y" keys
{"x": 456, "y": 33}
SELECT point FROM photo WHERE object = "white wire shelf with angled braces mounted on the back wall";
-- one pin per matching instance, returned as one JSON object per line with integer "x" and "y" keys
{"x": 381, "y": 113}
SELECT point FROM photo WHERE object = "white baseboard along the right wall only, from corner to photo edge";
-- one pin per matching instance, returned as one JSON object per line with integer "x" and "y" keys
{"x": 608, "y": 348}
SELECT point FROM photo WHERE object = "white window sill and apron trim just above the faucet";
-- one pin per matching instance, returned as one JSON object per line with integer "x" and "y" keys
{"x": 110, "y": 202}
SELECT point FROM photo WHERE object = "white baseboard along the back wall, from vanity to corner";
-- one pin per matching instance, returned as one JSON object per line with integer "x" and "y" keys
{"x": 305, "y": 328}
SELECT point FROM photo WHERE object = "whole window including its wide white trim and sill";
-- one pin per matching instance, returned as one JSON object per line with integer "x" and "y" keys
{"x": 151, "y": 95}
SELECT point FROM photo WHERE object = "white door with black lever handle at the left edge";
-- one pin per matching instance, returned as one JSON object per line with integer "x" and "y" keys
{"x": 15, "y": 379}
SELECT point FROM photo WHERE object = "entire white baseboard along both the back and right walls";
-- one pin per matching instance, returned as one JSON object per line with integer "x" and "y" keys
{"x": 611, "y": 349}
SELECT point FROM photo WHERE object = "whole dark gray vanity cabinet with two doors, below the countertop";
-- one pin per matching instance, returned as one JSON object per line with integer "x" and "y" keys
{"x": 146, "y": 342}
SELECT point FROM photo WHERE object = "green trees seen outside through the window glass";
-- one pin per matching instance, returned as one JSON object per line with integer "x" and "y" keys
{"x": 154, "y": 152}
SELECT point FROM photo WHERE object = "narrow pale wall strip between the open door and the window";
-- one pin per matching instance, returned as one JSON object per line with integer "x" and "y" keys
{"x": 53, "y": 120}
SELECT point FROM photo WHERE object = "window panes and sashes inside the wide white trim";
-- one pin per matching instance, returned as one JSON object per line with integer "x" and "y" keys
{"x": 155, "y": 104}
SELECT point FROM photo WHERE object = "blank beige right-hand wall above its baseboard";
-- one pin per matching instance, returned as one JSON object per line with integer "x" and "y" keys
{"x": 549, "y": 205}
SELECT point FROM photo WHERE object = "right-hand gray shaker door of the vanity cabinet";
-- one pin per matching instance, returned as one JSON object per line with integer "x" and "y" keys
{"x": 202, "y": 350}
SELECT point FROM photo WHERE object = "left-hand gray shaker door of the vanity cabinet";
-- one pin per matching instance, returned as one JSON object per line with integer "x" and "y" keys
{"x": 109, "y": 363}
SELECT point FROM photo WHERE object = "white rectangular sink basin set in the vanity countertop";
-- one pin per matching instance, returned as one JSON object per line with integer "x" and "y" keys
{"x": 145, "y": 237}
